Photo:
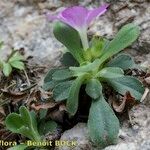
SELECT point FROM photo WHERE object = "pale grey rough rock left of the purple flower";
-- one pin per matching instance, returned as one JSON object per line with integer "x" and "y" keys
{"x": 25, "y": 27}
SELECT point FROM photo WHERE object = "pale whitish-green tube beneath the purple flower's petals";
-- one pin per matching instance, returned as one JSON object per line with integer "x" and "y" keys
{"x": 84, "y": 39}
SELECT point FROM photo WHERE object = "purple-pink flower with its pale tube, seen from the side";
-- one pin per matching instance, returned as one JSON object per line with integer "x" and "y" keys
{"x": 79, "y": 18}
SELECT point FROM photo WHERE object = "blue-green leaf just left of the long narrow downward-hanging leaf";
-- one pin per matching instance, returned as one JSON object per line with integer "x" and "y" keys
{"x": 61, "y": 90}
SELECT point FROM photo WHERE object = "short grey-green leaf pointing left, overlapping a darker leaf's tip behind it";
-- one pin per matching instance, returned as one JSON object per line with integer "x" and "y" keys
{"x": 62, "y": 74}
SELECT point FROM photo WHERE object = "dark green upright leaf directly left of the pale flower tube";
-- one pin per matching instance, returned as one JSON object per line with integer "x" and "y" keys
{"x": 70, "y": 38}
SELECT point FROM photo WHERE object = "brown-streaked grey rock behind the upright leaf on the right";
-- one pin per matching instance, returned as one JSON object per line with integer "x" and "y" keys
{"x": 121, "y": 13}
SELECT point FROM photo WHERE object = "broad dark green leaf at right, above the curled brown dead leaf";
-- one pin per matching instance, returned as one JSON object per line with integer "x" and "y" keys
{"x": 127, "y": 83}
